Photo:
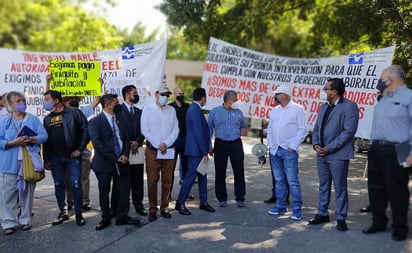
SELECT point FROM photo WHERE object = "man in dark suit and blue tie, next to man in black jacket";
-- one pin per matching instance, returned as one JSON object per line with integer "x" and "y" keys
{"x": 110, "y": 161}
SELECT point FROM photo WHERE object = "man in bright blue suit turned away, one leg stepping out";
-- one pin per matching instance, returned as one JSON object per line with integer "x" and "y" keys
{"x": 197, "y": 147}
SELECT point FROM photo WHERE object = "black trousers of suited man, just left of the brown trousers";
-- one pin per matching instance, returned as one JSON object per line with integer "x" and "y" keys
{"x": 136, "y": 185}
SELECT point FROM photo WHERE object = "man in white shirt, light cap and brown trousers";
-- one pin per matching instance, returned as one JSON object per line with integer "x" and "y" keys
{"x": 159, "y": 125}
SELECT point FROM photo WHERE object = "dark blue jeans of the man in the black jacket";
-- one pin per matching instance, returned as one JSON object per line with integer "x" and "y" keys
{"x": 60, "y": 165}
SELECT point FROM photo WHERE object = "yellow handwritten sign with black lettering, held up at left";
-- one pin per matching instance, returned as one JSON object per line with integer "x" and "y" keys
{"x": 75, "y": 78}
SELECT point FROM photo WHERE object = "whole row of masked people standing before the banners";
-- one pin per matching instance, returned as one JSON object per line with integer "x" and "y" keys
{"x": 127, "y": 140}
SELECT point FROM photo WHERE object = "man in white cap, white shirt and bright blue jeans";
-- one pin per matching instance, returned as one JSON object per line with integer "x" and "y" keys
{"x": 286, "y": 130}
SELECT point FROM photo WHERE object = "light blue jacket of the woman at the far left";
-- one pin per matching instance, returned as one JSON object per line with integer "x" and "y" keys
{"x": 8, "y": 157}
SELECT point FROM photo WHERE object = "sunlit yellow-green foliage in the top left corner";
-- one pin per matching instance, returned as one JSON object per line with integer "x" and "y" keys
{"x": 52, "y": 25}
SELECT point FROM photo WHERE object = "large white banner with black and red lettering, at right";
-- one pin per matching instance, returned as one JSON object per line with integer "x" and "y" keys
{"x": 255, "y": 75}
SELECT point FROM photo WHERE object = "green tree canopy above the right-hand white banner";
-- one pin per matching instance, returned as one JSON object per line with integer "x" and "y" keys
{"x": 299, "y": 28}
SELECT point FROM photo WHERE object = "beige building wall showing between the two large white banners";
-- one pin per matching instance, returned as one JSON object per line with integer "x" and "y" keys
{"x": 182, "y": 69}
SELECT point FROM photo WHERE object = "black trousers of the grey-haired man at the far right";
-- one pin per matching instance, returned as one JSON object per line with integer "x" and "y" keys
{"x": 388, "y": 182}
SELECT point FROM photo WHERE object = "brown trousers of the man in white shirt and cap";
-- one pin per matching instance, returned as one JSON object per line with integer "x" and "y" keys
{"x": 155, "y": 168}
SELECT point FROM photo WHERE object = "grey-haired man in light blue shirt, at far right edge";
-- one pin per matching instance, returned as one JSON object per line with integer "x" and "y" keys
{"x": 387, "y": 177}
